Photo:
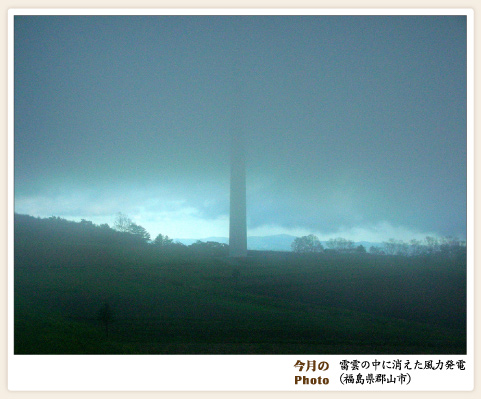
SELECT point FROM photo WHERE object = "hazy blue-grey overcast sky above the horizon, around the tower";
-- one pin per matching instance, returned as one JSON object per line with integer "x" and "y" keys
{"x": 355, "y": 125}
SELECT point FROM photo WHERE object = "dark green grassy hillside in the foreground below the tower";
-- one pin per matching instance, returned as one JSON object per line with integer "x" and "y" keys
{"x": 186, "y": 301}
